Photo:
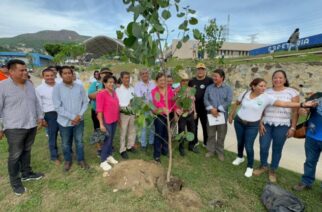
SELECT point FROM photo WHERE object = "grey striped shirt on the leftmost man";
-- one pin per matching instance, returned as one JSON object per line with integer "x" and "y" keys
{"x": 19, "y": 107}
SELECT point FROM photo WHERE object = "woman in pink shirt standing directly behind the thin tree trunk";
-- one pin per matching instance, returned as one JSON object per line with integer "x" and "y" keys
{"x": 160, "y": 123}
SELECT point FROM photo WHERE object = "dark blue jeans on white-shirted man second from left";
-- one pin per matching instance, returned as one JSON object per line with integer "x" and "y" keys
{"x": 52, "y": 131}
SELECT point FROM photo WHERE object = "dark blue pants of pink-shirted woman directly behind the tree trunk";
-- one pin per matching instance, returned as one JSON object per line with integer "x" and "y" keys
{"x": 161, "y": 136}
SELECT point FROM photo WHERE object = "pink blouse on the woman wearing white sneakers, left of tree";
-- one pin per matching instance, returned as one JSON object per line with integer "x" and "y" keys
{"x": 108, "y": 105}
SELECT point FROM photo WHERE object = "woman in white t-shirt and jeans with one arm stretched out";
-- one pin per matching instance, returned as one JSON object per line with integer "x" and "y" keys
{"x": 252, "y": 104}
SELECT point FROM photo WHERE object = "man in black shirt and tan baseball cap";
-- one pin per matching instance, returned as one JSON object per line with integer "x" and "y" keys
{"x": 200, "y": 82}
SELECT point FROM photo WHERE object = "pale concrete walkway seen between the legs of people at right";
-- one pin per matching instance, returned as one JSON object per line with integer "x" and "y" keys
{"x": 293, "y": 156}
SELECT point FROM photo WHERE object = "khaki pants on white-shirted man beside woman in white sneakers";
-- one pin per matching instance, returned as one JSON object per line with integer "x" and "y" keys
{"x": 127, "y": 130}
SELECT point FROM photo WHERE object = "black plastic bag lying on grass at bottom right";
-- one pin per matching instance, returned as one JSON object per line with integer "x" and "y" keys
{"x": 277, "y": 199}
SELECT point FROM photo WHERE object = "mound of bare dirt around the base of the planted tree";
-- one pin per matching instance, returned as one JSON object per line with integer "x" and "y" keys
{"x": 139, "y": 175}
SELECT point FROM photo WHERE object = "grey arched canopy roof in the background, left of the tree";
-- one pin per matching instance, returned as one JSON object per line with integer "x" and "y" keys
{"x": 101, "y": 45}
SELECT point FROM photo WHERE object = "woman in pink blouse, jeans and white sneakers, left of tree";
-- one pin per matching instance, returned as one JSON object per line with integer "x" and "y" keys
{"x": 108, "y": 112}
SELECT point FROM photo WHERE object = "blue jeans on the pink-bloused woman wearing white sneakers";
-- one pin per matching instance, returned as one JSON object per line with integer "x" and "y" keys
{"x": 107, "y": 147}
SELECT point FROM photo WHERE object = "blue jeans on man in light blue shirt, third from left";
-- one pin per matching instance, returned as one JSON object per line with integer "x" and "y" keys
{"x": 68, "y": 134}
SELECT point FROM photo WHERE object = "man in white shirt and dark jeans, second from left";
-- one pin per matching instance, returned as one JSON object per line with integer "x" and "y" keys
{"x": 44, "y": 94}
